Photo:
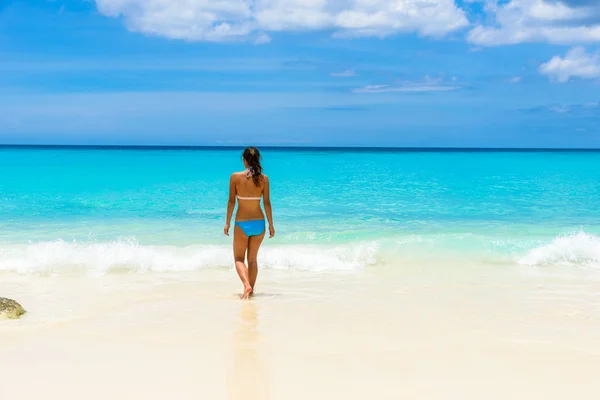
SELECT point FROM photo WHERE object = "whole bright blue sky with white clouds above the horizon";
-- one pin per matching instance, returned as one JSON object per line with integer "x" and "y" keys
{"x": 509, "y": 73}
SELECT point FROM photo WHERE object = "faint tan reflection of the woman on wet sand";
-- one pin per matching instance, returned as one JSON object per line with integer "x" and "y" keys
{"x": 247, "y": 378}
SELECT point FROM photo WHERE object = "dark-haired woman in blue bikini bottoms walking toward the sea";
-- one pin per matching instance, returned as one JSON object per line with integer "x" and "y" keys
{"x": 248, "y": 187}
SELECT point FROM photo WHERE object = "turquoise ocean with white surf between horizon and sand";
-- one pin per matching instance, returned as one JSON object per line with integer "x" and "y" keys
{"x": 107, "y": 210}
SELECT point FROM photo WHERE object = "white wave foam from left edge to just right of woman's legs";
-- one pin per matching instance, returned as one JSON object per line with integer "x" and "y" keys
{"x": 127, "y": 254}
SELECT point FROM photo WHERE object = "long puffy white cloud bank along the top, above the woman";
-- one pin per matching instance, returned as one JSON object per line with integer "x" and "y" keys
{"x": 226, "y": 20}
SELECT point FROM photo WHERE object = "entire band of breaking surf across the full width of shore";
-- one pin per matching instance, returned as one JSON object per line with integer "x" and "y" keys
{"x": 97, "y": 258}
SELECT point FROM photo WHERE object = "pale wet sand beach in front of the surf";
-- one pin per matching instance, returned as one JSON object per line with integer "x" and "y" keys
{"x": 417, "y": 334}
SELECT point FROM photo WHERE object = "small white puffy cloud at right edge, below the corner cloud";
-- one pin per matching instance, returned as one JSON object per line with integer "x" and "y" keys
{"x": 576, "y": 64}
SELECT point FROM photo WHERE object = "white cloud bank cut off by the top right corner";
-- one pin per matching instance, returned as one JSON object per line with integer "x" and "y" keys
{"x": 553, "y": 21}
